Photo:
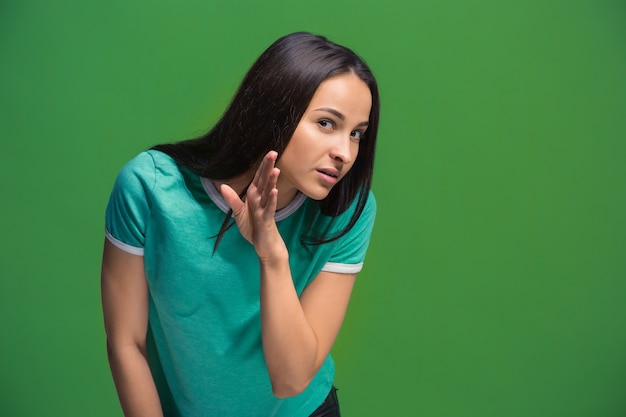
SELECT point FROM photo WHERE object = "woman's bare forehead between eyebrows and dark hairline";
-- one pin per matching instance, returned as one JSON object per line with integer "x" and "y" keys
{"x": 346, "y": 93}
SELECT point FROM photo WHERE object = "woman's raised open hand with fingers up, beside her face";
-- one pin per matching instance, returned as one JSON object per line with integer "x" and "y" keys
{"x": 254, "y": 214}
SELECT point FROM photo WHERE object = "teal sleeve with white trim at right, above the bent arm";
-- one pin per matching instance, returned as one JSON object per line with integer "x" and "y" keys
{"x": 349, "y": 253}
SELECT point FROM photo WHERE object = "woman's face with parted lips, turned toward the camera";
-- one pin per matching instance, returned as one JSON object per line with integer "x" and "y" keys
{"x": 325, "y": 143}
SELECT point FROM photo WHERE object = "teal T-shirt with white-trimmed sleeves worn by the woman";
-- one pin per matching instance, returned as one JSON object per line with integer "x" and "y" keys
{"x": 204, "y": 314}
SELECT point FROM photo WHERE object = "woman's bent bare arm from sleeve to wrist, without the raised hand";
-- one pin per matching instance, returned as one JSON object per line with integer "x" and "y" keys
{"x": 299, "y": 333}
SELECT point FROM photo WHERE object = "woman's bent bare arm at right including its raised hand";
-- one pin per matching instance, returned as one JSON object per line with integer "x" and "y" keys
{"x": 297, "y": 333}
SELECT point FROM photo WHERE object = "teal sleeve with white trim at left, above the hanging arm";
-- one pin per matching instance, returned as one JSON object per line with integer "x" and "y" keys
{"x": 128, "y": 210}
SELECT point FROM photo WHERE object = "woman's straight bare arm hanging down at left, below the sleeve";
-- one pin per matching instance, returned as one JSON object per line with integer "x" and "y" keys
{"x": 125, "y": 308}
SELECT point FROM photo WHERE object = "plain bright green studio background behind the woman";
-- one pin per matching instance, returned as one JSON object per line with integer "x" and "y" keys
{"x": 495, "y": 281}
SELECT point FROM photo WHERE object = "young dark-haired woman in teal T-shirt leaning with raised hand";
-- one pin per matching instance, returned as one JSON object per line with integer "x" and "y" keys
{"x": 205, "y": 319}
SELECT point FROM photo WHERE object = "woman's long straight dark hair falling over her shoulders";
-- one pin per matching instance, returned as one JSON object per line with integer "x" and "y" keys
{"x": 265, "y": 111}
